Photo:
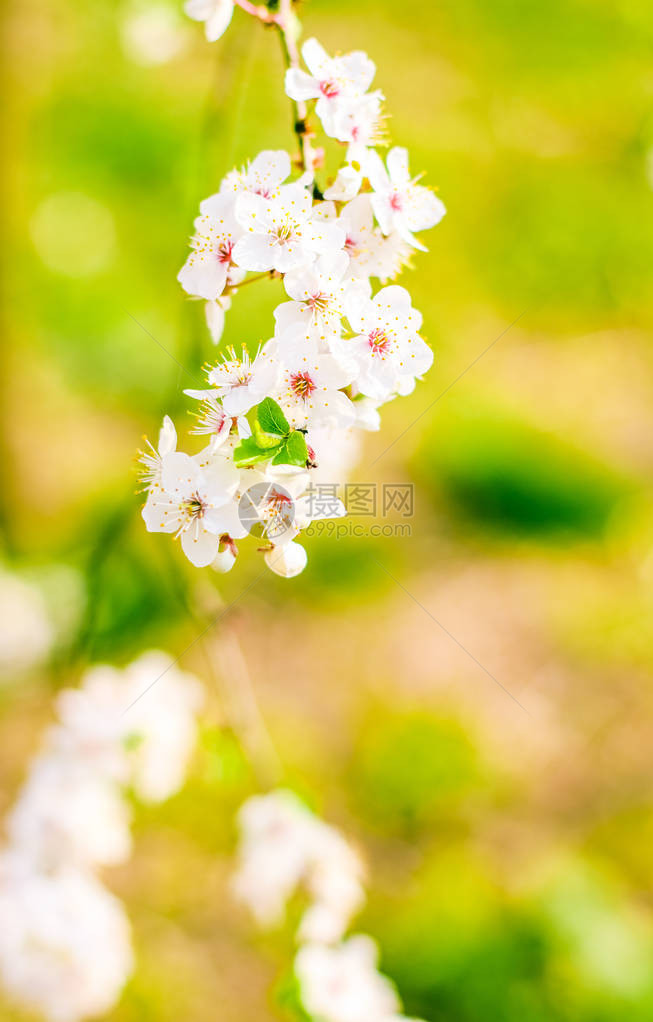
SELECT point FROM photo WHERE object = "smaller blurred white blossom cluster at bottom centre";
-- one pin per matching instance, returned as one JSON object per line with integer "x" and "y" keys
{"x": 285, "y": 848}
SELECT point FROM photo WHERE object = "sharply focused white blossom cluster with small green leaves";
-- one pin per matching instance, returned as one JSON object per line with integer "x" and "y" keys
{"x": 340, "y": 350}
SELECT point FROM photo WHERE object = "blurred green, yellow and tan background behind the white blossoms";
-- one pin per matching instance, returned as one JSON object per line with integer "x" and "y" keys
{"x": 473, "y": 705}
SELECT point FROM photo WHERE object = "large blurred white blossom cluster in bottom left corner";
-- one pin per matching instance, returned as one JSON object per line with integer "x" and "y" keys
{"x": 65, "y": 940}
